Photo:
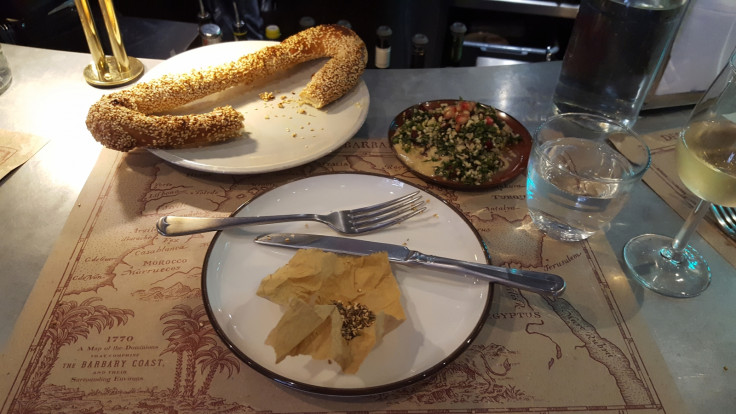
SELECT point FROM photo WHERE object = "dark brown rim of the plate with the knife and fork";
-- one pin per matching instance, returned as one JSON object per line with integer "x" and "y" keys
{"x": 349, "y": 392}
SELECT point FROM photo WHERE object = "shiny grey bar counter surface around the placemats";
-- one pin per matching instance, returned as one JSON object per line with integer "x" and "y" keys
{"x": 49, "y": 98}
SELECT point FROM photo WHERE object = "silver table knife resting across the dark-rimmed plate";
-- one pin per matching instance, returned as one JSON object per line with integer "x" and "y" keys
{"x": 533, "y": 281}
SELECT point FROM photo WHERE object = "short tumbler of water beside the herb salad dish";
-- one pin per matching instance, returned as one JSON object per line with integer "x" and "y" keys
{"x": 581, "y": 171}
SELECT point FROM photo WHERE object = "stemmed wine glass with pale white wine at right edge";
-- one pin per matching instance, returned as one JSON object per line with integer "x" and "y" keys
{"x": 706, "y": 164}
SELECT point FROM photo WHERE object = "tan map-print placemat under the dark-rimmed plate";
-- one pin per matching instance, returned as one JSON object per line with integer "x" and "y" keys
{"x": 116, "y": 323}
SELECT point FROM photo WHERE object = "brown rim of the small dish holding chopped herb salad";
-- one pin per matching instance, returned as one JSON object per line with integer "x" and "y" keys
{"x": 517, "y": 170}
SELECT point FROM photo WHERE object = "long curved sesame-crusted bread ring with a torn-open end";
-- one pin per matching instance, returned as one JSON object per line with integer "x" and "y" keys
{"x": 125, "y": 119}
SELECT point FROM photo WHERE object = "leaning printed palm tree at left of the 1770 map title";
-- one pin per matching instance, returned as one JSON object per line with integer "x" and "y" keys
{"x": 70, "y": 321}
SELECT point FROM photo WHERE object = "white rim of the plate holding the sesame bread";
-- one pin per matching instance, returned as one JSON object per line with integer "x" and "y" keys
{"x": 168, "y": 156}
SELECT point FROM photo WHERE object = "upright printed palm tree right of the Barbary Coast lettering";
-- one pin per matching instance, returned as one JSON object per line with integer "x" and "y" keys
{"x": 189, "y": 332}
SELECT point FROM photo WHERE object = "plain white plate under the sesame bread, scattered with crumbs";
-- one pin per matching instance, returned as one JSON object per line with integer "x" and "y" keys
{"x": 275, "y": 138}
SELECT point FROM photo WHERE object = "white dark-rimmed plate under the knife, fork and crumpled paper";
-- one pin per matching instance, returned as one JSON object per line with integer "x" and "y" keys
{"x": 444, "y": 312}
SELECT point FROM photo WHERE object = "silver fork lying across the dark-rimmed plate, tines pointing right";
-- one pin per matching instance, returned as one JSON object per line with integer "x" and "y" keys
{"x": 359, "y": 220}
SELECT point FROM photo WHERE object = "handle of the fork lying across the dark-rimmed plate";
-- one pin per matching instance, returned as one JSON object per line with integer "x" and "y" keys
{"x": 181, "y": 226}
